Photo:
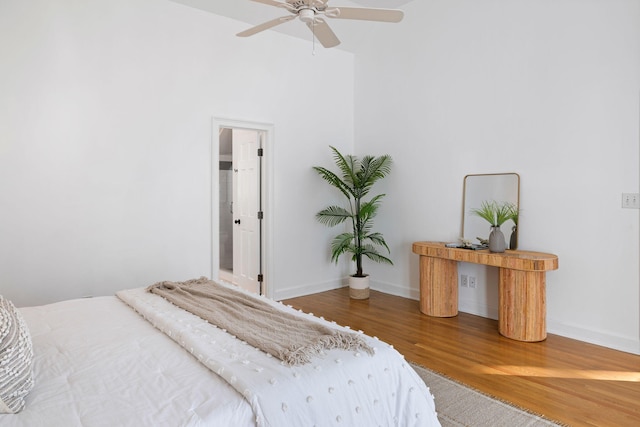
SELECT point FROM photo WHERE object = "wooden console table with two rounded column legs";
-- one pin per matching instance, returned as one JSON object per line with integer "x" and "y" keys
{"x": 522, "y": 292}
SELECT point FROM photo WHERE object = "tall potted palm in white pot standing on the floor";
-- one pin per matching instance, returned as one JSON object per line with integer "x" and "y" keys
{"x": 357, "y": 178}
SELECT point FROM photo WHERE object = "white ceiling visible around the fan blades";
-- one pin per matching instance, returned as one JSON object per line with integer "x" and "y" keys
{"x": 350, "y": 33}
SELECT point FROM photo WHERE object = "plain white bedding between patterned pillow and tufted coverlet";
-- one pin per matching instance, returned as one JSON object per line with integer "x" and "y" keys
{"x": 98, "y": 363}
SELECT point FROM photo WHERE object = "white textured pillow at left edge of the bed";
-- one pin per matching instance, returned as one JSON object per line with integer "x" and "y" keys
{"x": 16, "y": 356}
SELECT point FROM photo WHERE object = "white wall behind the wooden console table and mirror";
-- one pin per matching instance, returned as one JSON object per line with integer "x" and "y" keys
{"x": 549, "y": 89}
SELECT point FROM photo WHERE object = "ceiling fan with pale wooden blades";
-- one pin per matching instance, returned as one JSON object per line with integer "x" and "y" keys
{"x": 313, "y": 12}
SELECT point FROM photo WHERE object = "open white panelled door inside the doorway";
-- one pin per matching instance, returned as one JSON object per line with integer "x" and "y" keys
{"x": 246, "y": 180}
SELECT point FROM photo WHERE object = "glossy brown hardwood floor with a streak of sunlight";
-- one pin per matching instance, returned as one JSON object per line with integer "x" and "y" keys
{"x": 570, "y": 381}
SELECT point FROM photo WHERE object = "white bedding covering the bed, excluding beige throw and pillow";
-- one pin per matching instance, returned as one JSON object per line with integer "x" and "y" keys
{"x": 137, "y": 359}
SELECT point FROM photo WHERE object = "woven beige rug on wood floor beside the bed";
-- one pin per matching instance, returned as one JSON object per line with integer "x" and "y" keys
{"x": 458, "y": 405}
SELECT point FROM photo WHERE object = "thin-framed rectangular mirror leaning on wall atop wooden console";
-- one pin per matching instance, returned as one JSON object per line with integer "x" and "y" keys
{"x": 501, "y": 188}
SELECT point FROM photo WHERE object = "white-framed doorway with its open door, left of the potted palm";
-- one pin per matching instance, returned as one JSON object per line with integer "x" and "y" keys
{"x": 240, "y": 200}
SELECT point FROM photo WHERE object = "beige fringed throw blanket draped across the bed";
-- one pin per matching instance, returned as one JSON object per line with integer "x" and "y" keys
{"x": 290, "y": 338}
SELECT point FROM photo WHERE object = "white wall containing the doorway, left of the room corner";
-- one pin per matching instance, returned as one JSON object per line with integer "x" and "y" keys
{"x": 105, "y": 134}
